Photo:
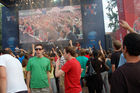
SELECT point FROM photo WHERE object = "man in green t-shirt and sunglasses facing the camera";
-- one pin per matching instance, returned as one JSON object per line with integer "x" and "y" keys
{"x": 38, "y": 67}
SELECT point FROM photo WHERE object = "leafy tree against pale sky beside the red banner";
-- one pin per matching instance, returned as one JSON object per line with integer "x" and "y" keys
{"x": 112, "y": 15}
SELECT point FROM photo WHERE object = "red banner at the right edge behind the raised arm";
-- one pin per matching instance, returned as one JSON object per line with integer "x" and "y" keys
{"x": 129, "y": 10}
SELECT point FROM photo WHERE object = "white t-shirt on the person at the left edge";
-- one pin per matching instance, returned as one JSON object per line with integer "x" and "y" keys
{"x": 15, "y": 78}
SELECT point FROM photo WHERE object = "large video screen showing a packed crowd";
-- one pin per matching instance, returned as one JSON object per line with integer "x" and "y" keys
{"x": 50, "y": 24}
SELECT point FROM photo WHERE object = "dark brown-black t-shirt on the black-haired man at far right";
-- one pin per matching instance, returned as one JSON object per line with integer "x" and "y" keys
{"x": 126, "y": 79}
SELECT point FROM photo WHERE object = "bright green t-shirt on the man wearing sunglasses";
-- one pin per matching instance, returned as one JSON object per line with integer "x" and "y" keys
{"x": 38, "y": 68}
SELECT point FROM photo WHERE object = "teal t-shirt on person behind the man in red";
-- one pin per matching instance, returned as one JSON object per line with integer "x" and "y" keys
{"x": 83, "y": 61}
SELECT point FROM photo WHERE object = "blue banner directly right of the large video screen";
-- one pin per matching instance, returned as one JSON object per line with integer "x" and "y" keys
{"x": 93, "y": 23}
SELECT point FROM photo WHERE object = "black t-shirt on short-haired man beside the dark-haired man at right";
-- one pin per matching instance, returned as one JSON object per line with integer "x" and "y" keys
{"x": 115, "y": 57}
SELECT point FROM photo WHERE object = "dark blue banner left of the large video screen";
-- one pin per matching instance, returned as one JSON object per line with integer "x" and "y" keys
{"x": 9, "y": 28}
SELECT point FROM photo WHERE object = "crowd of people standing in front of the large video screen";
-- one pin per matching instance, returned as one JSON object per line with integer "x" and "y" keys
{"x": 73, "y": 69}
